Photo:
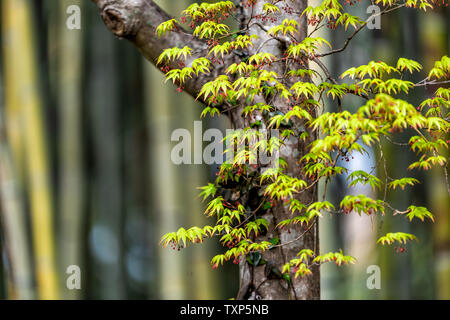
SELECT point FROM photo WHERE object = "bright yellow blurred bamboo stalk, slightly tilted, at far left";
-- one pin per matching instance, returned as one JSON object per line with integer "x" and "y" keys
{"x": 23, "y": 101}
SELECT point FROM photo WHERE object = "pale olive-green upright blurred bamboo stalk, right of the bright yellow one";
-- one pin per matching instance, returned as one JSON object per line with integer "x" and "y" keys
{"x": 70, "y": 66}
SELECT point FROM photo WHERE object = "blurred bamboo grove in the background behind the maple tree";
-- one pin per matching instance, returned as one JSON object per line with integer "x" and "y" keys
{"x": 86, "y": 177}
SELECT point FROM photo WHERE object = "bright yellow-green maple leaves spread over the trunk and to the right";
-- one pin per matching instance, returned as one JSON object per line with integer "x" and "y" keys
{"x": 303, "y": 89}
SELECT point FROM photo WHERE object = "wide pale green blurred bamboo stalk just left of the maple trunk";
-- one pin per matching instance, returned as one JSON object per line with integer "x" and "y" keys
{"x": 185, "y": 274}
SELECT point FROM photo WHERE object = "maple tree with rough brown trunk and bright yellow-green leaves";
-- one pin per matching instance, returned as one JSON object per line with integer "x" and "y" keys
{"x": 260, "y": 63}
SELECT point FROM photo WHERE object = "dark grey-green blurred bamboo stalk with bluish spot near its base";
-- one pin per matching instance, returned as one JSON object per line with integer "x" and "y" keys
{"x": 106, "y": 196}
